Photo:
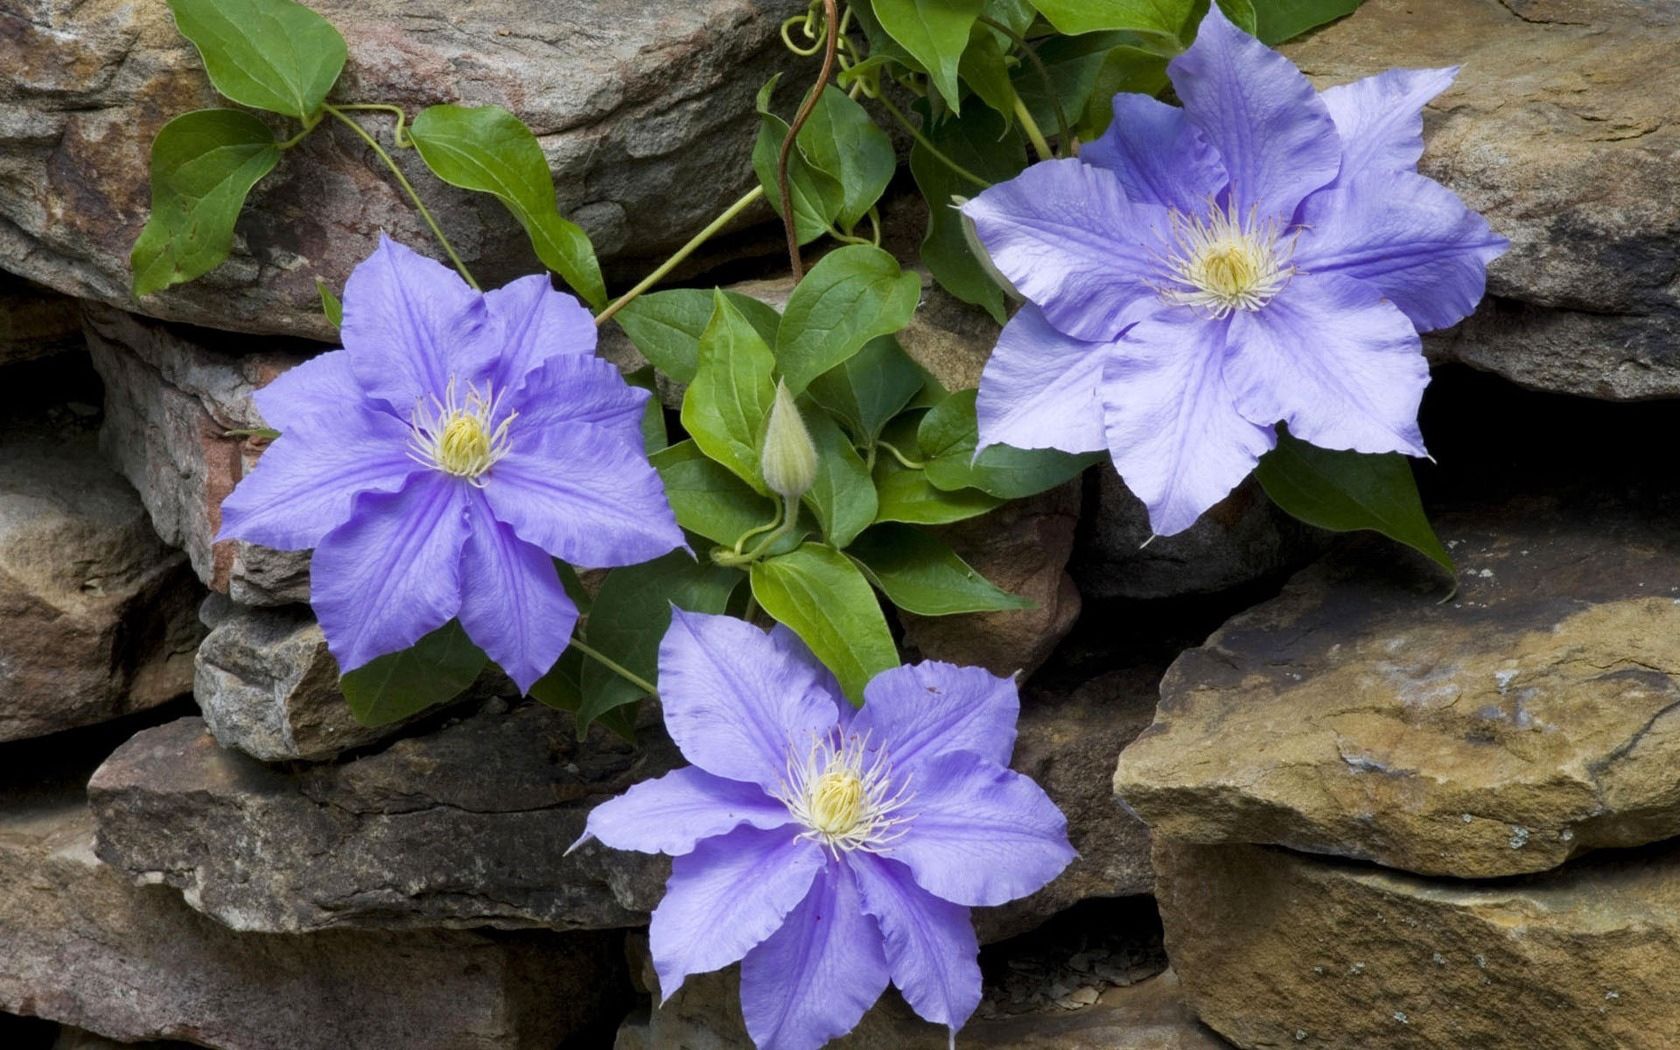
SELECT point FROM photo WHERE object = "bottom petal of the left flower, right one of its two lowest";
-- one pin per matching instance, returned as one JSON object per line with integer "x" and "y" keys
{"x": 513, "y": 606}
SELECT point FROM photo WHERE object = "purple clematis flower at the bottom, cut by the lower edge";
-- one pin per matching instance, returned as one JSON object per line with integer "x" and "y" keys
{"x": 831, "y": 851}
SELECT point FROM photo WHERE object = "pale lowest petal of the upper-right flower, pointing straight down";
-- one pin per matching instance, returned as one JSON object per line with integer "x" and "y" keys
{"x": 1175, "y": 433}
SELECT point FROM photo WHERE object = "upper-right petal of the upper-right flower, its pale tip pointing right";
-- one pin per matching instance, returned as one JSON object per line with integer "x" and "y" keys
{"x": 1380, "y": 120}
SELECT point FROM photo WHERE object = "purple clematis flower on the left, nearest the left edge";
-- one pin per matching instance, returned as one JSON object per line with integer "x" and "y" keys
{"x": 444, "y": 458}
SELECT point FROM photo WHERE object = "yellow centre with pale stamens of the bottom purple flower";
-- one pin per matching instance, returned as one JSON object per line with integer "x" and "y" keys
{"x": 846, "y": 797}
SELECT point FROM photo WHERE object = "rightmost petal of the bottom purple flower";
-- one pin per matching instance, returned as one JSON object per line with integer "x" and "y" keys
{"x": 982, "y": 834}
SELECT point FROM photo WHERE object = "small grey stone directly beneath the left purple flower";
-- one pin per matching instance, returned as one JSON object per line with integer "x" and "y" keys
{"x": 268, "y": 686}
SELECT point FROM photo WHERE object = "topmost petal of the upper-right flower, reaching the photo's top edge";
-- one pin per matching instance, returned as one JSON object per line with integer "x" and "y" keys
{"x": 1273, "y": 132}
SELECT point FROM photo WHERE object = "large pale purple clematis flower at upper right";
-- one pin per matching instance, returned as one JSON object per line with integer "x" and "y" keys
{"x": 1264, "y": 255}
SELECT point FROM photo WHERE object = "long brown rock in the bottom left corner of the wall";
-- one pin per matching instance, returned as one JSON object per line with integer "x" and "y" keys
{"x": 81, "y": 945}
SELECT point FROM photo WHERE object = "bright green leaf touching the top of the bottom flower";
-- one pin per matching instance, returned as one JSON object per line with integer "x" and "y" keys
{"x": 826, "y": 601}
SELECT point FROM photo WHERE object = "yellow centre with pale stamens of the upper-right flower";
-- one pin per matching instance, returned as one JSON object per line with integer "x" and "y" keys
{"x": 1224, "y": 263}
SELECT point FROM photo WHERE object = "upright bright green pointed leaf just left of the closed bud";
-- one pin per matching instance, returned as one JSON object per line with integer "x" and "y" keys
{"x": 728, "y": 402}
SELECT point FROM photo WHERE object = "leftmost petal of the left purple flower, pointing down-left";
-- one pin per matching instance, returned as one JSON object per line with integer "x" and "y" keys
{"x": 307, "y": 483}
